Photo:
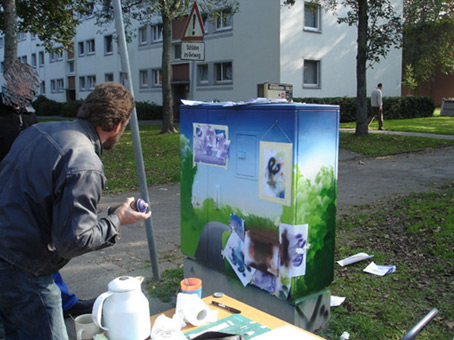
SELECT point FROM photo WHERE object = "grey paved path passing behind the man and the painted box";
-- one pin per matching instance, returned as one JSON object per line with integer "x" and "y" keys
{"x": 361, "y": 180}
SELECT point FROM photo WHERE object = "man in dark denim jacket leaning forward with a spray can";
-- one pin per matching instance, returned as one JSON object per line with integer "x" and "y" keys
{"x": 51, "y": 182}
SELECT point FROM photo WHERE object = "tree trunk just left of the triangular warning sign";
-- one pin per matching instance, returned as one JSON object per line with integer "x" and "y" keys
{"x": 167, "y": 96}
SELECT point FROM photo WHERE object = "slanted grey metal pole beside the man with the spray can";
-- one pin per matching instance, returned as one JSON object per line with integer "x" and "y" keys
{"x": 134, "y": 124}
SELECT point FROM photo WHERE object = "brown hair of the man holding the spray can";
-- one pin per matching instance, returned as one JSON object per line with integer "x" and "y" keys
{"x": 107, "y": 105}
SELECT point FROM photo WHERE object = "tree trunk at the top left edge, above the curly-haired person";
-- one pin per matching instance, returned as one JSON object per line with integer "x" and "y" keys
{"x": 9, "y": 7}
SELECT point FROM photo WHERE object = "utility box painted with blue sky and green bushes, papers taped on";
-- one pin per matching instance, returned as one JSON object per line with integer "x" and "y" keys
{"x": 258, "y": 193}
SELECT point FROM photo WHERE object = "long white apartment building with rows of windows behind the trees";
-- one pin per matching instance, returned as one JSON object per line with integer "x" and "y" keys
{"x": 264, "y": 41}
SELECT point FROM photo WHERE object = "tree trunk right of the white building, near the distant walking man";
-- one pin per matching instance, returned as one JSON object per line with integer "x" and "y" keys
{"x": 361, "y": 59}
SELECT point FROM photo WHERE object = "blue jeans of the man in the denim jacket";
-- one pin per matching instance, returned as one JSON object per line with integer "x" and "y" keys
{"x": 30, "y": 306}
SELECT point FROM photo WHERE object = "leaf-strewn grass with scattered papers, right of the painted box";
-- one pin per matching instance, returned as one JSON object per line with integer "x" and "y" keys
{"x": 416, "y": 234}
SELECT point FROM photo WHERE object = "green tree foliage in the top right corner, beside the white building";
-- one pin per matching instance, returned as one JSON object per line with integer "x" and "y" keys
{"x": 429, "y": 37}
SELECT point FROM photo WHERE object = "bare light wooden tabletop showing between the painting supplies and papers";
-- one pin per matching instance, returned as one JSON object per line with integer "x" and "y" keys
{"x": 246, "y": 310}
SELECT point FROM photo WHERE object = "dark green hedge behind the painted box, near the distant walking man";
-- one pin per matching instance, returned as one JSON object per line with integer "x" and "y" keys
{"x": 393, "y": 107}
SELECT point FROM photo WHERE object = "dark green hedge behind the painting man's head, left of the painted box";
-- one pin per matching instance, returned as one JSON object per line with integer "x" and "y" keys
{"x": 48, "y": 107}
